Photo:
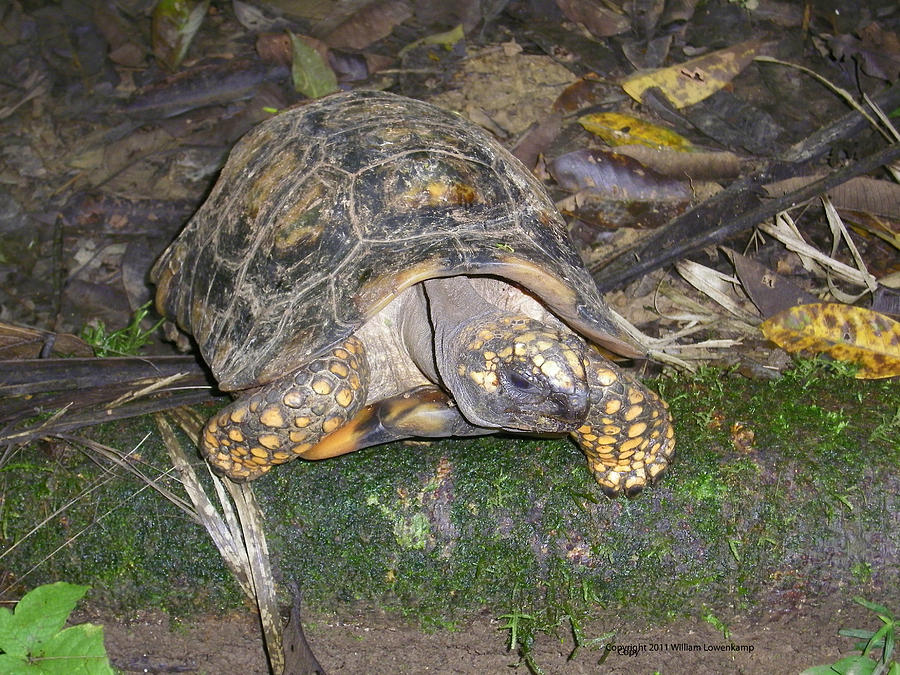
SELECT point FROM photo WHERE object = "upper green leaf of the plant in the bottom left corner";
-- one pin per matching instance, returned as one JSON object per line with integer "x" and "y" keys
{"x": 38, "y": 615}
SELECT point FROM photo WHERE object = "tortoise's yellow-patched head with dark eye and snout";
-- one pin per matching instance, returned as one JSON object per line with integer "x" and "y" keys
{"x": 515, "y": 373}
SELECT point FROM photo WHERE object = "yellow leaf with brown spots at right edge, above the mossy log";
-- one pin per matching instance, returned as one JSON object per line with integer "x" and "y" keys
{"x": 844, "y": 332}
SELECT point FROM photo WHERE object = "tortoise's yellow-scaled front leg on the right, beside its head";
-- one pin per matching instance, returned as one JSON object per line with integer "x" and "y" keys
{"x": 628, "y": 436}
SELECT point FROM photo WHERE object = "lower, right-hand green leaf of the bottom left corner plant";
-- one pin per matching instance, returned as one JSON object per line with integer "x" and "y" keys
{"x": 76, "y": 650}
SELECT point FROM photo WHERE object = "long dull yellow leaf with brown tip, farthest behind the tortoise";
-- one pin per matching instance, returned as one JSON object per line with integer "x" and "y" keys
{"x": 692, "y": 81}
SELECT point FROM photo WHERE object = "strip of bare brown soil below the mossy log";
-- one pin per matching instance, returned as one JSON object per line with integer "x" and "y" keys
{"x": 776, "y": 640}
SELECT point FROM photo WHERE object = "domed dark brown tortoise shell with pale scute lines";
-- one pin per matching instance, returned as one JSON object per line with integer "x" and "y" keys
{"x": 325, "y": 213}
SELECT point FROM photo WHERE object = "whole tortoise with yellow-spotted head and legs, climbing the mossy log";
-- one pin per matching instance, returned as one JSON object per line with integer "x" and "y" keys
{"x": 370, "y": 267}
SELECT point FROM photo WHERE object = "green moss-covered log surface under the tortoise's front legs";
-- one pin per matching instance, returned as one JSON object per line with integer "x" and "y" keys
{"x": 787, "y": 484}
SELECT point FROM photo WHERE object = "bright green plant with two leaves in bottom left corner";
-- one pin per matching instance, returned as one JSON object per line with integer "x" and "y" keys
{"x": 33, "y": 640}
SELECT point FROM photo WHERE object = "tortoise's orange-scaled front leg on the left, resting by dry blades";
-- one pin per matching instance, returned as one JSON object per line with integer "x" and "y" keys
{"x": 286, "y": 418}
